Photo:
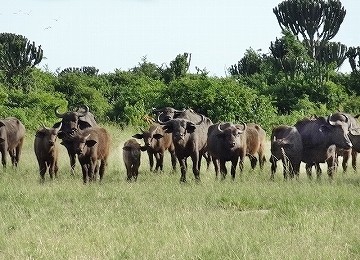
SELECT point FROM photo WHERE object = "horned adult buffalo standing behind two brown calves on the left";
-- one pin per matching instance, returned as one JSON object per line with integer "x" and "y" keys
{"x": 72, "y": 121}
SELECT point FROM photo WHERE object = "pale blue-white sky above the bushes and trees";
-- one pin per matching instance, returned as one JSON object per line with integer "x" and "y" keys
{"x": 116, "y": 34}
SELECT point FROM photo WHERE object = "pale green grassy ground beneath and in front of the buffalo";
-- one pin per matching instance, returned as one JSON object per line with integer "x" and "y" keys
{"x": 159, "y": 218}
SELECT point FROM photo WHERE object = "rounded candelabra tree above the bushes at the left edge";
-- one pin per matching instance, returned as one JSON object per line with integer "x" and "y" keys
{"x": 17, "y": 55}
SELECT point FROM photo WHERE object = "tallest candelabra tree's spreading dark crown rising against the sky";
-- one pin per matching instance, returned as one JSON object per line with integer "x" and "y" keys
{"x": 317, "y": 21}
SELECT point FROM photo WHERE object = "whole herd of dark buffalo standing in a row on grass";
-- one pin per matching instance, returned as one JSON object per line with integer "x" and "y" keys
{"x": 186, "y": 133}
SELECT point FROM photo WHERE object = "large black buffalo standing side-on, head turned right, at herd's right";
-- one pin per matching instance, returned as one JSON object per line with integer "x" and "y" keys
{"x": 319, "y": 138}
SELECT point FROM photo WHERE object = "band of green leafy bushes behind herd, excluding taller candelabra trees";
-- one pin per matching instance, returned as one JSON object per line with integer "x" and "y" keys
{"x": 125, "y": 97}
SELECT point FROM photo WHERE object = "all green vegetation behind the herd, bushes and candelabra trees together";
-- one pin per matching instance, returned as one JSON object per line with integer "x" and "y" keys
{"x": 299, "y": 77}
